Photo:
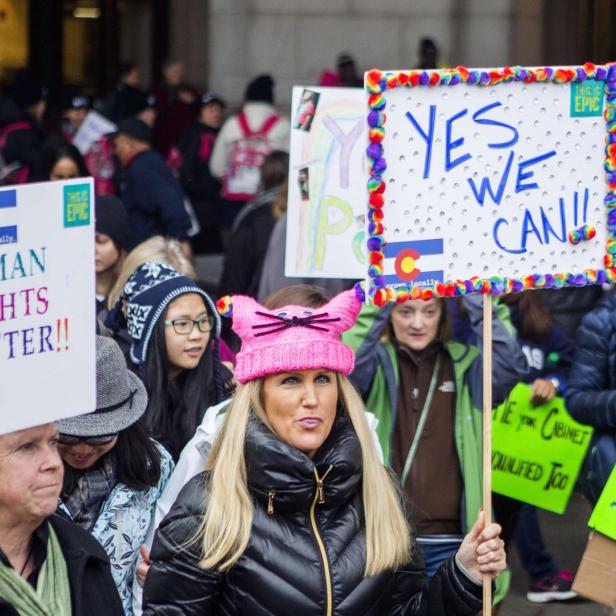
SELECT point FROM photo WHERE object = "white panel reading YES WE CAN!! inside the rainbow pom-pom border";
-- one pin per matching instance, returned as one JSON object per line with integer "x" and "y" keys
{"x": 491, "y": 181}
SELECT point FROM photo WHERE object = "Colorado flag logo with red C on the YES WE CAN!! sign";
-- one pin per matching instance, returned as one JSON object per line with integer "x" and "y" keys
{"x": 414, "y": 262}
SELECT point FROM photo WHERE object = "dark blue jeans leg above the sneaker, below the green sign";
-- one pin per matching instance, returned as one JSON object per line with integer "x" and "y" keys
{"x": 529, "y": 543}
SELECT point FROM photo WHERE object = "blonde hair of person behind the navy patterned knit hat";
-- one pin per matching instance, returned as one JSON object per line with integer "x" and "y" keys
{"x": 157, "y": 248}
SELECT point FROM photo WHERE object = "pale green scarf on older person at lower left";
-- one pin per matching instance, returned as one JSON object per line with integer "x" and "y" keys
{"x": 52, "y": 596}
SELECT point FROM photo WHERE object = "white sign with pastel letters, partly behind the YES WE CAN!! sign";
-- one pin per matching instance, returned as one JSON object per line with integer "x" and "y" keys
{"x": 327, "y": 179}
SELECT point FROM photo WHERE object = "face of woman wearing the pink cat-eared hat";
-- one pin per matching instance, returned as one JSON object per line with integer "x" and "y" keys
{"x": 301, "y": 406}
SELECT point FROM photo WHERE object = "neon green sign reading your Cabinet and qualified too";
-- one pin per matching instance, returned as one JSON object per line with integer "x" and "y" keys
{"x": 537, "y": 452}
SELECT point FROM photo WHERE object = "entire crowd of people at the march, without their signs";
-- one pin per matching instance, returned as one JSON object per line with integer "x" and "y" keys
{"x": 304, "y": 453}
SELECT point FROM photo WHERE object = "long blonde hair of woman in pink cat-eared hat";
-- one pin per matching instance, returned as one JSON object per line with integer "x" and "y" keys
{"x": 225, "y": 530}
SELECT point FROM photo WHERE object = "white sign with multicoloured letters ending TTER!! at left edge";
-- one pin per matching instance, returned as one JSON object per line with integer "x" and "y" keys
{"x": 47, "y": 303}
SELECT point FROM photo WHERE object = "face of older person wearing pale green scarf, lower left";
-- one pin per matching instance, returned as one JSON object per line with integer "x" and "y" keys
{"x": 31, "y": 472}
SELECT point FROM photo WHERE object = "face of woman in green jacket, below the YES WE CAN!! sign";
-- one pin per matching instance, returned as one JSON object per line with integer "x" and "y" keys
{"x": 415, "y": 322}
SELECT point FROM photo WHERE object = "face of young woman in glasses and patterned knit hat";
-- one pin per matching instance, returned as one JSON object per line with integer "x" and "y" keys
{"x": 184, "y": 351}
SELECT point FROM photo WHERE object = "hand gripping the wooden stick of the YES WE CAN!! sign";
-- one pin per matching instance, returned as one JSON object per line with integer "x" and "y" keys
{"x": 483, "y": 551}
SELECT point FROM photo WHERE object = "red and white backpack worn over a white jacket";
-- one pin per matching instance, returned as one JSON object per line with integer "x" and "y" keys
{"x": 242, "y": 176}
